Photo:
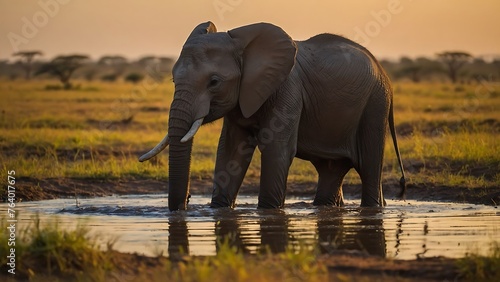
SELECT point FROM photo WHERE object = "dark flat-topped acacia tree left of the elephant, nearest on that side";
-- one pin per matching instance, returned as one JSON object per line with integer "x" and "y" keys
{"x": 63, "y": 67}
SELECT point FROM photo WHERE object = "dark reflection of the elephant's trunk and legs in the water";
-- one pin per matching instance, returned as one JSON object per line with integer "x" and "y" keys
{"x": 272, "y": 229}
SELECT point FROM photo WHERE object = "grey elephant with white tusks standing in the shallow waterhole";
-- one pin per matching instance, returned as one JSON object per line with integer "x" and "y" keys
{"x": 326, "y": 100}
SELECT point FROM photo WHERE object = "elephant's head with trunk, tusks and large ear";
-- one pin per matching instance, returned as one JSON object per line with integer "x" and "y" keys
{"x": 217, "y": 72}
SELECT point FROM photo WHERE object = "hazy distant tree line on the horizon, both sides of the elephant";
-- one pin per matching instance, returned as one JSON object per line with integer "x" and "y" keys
{"x": 454, "y": 66}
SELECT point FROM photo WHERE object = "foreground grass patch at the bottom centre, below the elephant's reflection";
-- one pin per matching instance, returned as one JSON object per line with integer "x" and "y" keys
{"x": 295, "y": 264}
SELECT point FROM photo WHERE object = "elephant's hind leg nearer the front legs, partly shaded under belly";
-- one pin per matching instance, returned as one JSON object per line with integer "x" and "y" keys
{"x": 331, "y": 175}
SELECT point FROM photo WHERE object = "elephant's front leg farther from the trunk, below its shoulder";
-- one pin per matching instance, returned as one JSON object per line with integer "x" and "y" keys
{"x": 276, "y": 160}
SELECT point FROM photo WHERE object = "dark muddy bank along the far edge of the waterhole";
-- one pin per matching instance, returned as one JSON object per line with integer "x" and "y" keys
{"x": 31, "y": 189}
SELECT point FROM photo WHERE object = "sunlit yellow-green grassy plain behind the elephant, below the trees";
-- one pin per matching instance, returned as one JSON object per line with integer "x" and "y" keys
{"x": 84, "y": 134}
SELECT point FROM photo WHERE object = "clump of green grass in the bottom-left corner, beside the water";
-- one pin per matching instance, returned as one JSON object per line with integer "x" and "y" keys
{"x": 46, "y": 250}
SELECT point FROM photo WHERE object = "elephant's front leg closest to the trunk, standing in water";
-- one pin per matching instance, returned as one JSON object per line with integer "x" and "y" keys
{"x": 234, "y": 154}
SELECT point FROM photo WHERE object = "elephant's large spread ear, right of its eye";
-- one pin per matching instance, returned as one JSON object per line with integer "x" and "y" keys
{"x": 268, "y": 57}
